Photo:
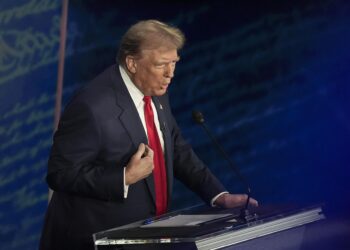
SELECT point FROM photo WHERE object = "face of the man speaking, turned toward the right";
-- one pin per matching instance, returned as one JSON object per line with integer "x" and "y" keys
{"x": 153, "y": 70}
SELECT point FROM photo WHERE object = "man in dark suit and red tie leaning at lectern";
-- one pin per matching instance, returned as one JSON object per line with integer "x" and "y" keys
{"x": 118, "y": 147}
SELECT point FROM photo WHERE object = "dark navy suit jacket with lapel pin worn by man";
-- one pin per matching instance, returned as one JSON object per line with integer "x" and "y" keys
{"x": 98, "y": 133}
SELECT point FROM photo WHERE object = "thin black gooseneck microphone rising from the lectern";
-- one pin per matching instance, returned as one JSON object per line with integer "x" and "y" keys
{"x": 245, "y": 214}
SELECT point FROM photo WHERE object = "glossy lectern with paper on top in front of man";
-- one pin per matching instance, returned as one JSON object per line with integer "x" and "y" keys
{"x": 205, "y": 228}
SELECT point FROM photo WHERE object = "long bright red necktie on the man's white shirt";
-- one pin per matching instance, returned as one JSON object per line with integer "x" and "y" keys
{"x": 159, "y": 173}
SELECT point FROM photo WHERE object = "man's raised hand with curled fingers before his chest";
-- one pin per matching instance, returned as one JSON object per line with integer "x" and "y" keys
{"x": 140, "y": 165}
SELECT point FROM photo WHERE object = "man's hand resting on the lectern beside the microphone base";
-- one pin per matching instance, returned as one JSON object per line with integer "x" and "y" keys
{"x": 234, "y": 200}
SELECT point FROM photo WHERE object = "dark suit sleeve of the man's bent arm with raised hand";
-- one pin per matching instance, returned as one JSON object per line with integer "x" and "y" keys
{"x": 74, "y": 165}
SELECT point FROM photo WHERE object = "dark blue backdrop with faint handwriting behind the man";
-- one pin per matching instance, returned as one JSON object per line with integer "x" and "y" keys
{"x": 271, "y": 77}
